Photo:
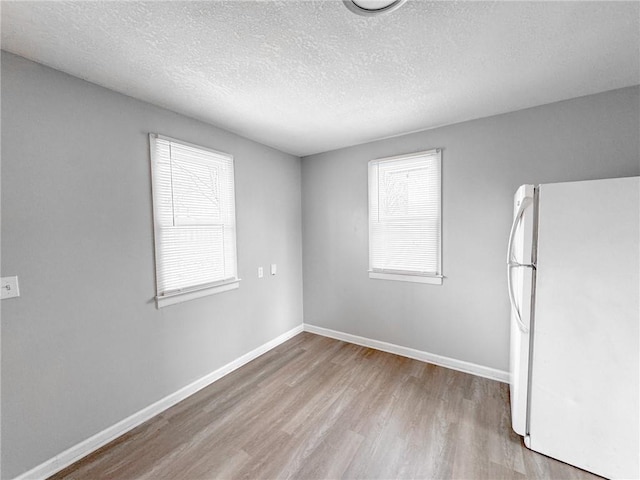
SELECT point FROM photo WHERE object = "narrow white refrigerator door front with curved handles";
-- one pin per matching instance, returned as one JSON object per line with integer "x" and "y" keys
{"x": 519, "y": 283}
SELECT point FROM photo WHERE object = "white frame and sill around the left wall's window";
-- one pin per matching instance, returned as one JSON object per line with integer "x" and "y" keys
{"x": 166, "y": 298}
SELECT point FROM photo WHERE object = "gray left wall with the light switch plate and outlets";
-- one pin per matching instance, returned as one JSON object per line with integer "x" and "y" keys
{"x": 84, "y": 346}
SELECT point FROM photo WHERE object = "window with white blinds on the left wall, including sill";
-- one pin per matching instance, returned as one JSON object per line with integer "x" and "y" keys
{"x": 194, "y": 220}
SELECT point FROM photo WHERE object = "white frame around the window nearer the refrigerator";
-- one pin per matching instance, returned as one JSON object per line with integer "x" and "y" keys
{"x": 429, "y": 277}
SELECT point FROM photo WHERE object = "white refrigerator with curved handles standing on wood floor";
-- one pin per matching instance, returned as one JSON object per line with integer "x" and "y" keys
{"x": 573, "y": 267}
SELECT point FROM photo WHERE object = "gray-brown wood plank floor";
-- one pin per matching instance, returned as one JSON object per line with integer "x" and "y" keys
{"x": 320, "y": 408}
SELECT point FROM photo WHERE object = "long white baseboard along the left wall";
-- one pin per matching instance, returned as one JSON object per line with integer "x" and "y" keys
{"x": 82, "y": 449}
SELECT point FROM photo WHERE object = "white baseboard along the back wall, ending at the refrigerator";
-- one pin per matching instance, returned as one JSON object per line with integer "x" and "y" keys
{"x": 460, "y": 365}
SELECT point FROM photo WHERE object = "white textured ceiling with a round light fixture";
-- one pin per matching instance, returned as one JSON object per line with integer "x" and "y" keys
{"x": 310, "y": 76}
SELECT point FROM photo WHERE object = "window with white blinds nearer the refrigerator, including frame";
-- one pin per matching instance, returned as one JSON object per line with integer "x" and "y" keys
{"x": 405, "y": 218}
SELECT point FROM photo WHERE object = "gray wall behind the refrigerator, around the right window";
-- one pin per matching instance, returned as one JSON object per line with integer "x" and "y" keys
{"x": 484, "y": 161}
